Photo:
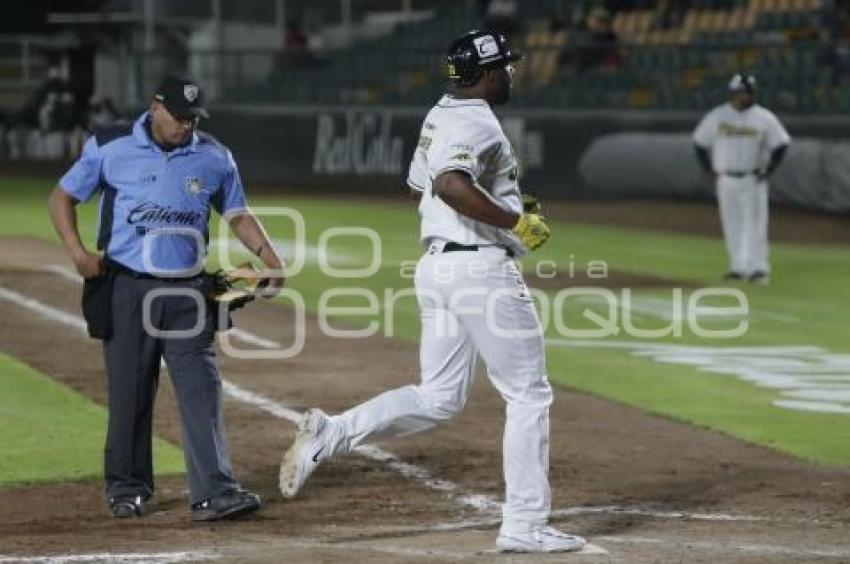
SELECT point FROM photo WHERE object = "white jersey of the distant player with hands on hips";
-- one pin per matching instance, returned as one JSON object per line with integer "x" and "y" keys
{"x": 740, "y": 142}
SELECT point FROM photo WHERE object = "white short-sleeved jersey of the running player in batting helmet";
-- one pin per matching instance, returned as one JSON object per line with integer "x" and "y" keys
{"x": 465, "y": 135}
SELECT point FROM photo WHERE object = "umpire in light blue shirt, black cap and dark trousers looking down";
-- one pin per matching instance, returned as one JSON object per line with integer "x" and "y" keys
{"x": 157, "y": 179}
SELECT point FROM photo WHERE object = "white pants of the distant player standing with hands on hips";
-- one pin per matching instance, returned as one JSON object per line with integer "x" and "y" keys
{"x": 744, "y": 216}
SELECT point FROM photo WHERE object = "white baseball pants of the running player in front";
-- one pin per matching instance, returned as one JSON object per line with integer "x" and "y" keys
{"x": 471, "y": 303}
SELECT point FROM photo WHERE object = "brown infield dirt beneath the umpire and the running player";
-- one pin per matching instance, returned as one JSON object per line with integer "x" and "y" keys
{"x": 642, "y": 488}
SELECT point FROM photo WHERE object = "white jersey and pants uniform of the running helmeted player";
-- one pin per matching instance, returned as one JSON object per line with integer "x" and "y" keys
{"x": 472, "y": 302}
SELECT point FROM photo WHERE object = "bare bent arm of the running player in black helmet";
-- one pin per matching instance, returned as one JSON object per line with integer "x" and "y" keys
{"x": 458, "y": 191}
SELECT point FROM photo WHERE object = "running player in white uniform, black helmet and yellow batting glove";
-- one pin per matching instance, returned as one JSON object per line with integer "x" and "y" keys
{"x": 472, "y": 301}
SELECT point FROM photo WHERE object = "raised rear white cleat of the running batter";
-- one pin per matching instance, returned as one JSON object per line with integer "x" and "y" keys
{"x": 304, "y": 455}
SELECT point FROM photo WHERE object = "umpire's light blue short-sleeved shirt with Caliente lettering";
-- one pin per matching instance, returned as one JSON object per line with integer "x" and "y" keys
{"x": 152, "y": 198}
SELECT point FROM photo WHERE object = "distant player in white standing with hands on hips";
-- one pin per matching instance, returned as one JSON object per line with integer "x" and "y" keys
{"x": 741, "y": 144}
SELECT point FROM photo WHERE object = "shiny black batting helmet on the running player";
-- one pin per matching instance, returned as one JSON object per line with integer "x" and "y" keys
{"x": 475, "y": 51}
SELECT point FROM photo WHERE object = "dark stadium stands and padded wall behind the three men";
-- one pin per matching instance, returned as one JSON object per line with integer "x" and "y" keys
{"x": 604, "y": 102}
